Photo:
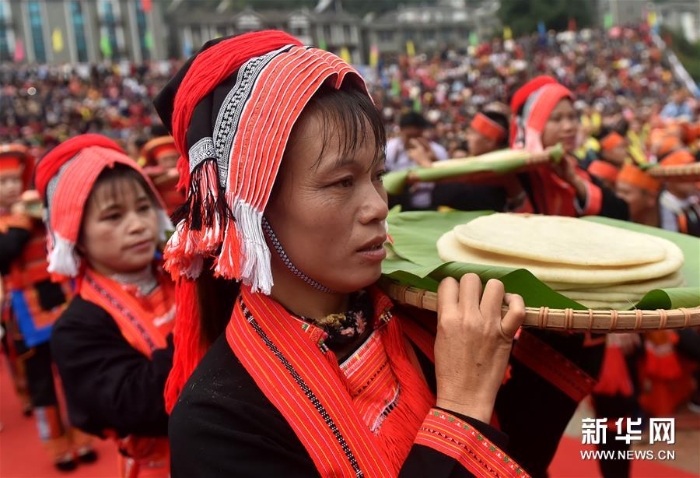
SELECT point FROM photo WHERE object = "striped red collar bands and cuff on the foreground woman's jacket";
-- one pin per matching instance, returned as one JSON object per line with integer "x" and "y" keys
{"x": 304, "y": 382}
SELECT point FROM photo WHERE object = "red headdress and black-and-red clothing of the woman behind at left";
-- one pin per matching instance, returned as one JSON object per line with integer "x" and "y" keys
{"x": 111, "y": 345}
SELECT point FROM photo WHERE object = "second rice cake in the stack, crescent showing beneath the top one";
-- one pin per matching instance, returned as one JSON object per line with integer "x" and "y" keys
{"x": 451, "y": 249}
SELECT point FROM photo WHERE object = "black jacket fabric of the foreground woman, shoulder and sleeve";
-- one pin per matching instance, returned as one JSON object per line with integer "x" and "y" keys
{"x": 224, "y": 426}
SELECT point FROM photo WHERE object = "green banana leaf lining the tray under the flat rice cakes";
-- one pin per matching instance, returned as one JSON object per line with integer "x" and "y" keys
{"x": 413, "y": 260}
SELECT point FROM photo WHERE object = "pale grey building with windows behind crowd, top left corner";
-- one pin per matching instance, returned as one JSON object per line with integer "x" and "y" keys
{"x": 81, "y": 31}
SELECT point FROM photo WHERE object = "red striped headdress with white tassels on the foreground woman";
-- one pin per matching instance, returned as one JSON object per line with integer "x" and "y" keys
{"x": 231, "y": 111}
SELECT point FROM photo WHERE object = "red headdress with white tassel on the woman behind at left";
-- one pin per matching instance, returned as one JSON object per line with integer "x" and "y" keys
{"x": 64, "y": 180}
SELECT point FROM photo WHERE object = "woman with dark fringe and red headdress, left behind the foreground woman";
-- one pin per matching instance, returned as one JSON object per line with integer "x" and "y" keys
{"x": 113, "y": 344}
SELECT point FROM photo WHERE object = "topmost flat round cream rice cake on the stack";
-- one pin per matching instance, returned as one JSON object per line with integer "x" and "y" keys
{"x": 559, "y": 240}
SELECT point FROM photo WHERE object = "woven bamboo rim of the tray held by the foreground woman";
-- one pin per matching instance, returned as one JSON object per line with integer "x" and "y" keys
{"x": 594, "y": 320}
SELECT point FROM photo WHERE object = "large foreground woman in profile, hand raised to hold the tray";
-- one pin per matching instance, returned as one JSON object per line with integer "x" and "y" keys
{"x": 309, "y": 372}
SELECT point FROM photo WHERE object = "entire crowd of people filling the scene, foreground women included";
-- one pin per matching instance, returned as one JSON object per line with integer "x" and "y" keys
{"x": 215, "y": 237}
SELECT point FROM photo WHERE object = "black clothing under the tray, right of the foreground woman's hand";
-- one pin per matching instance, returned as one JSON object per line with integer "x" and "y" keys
{"x": 533, "y": 412}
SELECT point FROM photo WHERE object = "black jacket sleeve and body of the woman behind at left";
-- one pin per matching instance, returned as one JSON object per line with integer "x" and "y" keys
{"x": 109, "y": 385}
